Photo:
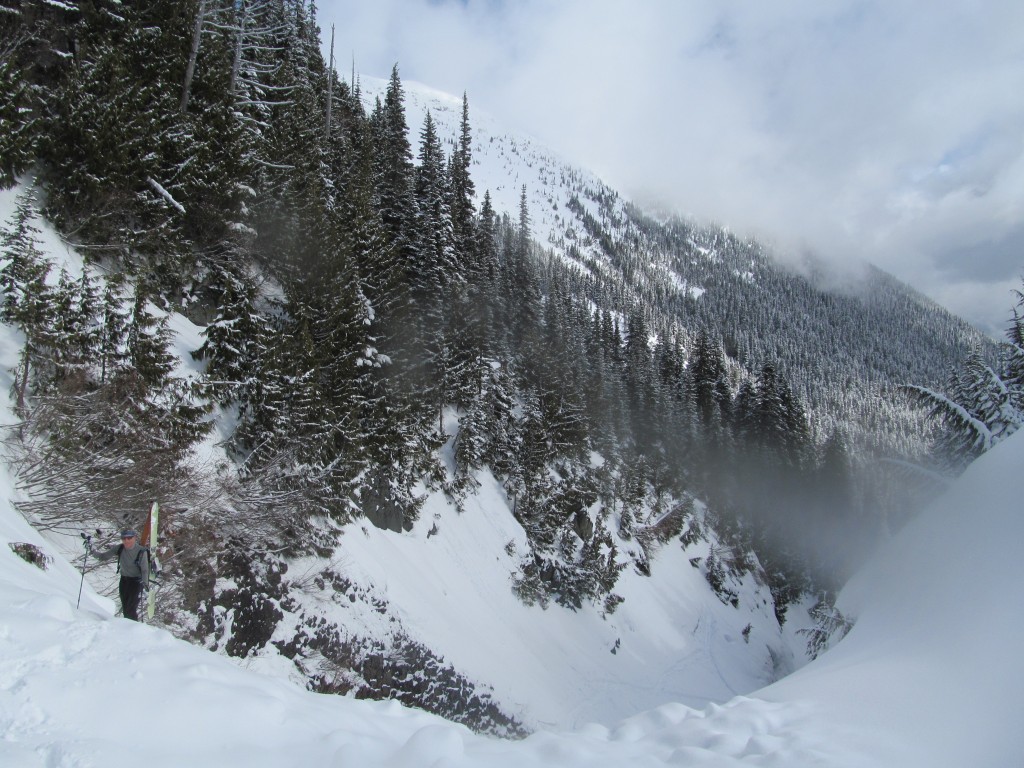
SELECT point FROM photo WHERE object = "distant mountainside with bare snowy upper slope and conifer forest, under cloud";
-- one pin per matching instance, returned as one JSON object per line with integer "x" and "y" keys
{"x": 843, "y": 335}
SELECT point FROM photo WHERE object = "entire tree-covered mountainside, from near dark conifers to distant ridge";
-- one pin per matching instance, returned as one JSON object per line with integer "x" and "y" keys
{"x": 378, "y": 327}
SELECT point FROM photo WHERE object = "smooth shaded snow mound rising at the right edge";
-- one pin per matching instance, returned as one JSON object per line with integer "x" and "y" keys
{"x": 934, "y": 664}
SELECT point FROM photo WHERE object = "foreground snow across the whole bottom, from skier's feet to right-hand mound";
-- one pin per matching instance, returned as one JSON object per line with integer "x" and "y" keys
{"x": 931, "y": 676}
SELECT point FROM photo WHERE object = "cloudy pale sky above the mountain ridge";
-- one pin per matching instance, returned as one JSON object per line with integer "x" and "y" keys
{"x": 889, "y": 131}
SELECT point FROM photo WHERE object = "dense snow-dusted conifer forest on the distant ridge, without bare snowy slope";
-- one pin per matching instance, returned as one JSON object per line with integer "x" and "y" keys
{"x": 842, "y": 343}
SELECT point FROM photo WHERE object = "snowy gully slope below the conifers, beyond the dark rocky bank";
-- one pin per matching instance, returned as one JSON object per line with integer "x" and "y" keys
{"x": 449, "y": 582}
